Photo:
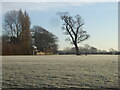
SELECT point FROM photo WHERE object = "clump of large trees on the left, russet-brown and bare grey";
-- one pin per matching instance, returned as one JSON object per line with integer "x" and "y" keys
{"x": 19, "y": 38}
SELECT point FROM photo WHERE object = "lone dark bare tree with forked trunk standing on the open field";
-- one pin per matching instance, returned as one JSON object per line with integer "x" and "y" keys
{"x": 73, "y": 28}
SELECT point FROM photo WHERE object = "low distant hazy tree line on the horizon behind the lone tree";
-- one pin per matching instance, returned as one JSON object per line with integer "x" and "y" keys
{"x": 87, "y": 49}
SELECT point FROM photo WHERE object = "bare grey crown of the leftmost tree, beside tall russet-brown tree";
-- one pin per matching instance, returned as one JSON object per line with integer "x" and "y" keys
{"x": 11, "y": 24}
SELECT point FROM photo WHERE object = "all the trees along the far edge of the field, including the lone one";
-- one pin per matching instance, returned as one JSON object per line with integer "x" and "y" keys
{"x": 18, "y": 38}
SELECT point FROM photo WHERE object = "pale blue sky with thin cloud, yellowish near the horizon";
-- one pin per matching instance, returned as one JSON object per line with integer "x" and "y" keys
{"x": 101, "y": 19}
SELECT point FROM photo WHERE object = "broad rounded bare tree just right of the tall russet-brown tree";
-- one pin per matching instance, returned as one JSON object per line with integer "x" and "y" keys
{"x": 44, "y": 40}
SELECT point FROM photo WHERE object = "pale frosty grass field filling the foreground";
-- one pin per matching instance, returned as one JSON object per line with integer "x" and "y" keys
{"x": 61, "y": 71}
